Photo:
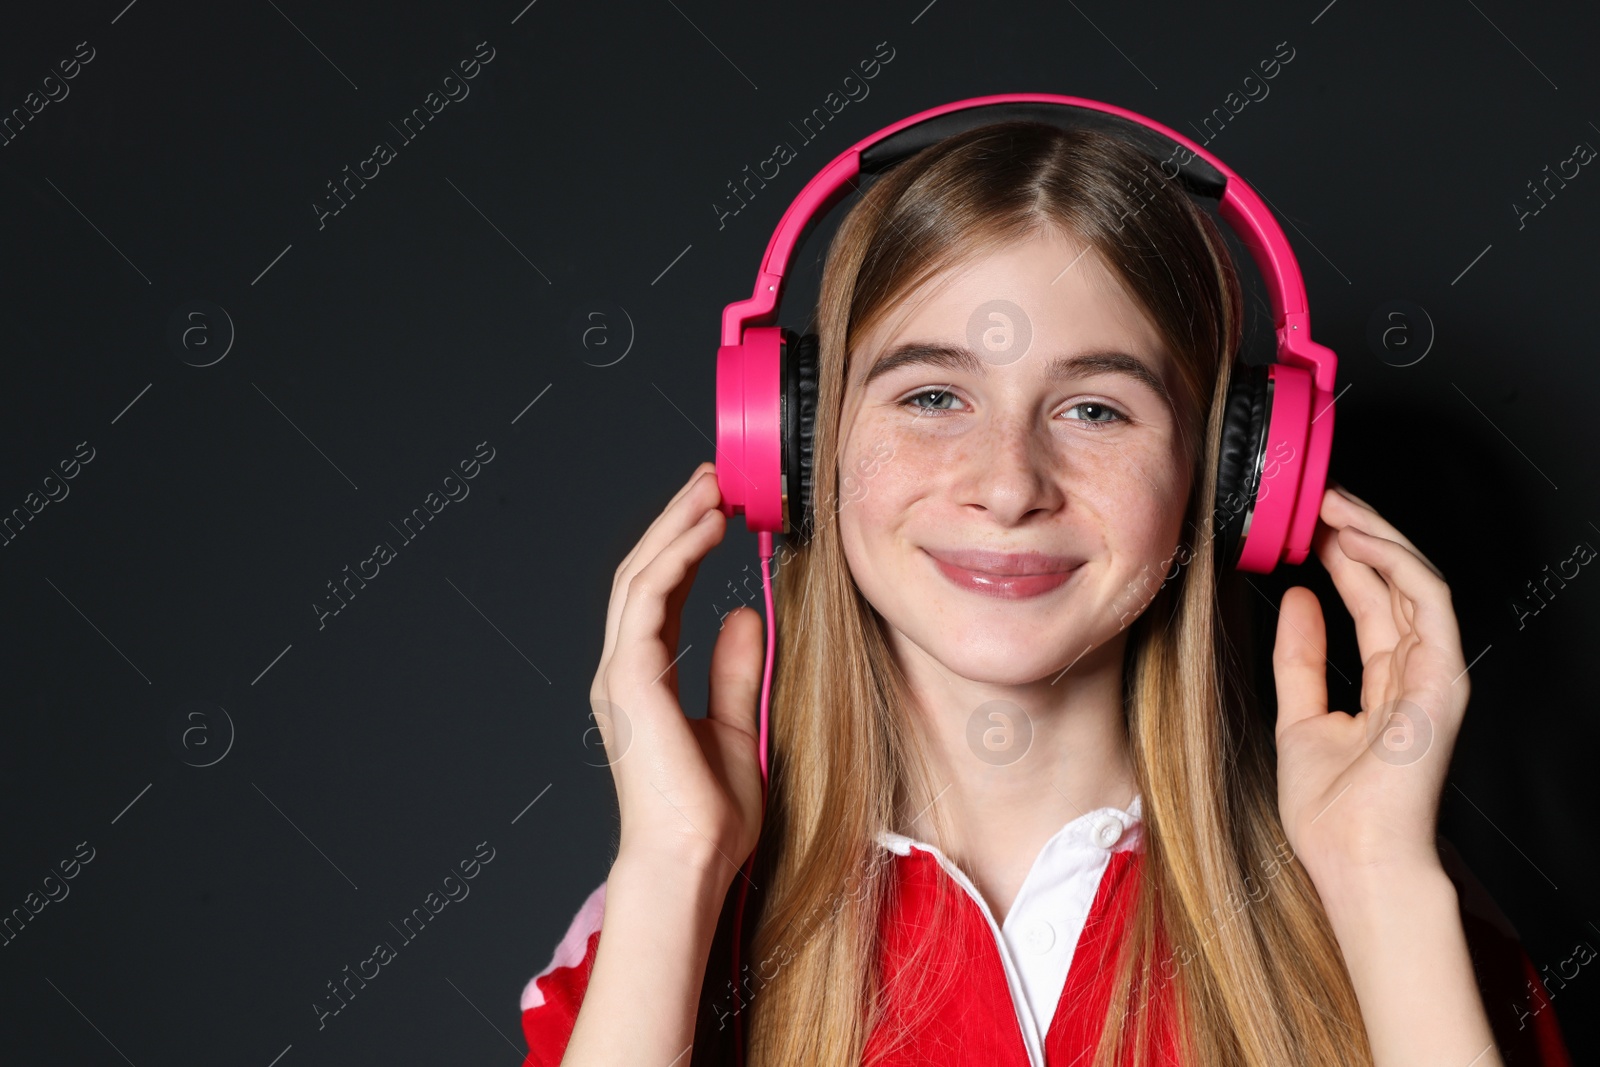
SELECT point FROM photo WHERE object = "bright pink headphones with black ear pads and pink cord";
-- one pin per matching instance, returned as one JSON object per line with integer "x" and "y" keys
{"x": 1279, "y": 423}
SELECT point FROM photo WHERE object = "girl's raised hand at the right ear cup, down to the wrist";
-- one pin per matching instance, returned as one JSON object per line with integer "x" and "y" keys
{"x": 1359, "y": 794}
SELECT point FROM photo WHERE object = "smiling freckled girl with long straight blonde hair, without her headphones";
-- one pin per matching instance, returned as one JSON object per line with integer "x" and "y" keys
{"x": 1023, "y": 809}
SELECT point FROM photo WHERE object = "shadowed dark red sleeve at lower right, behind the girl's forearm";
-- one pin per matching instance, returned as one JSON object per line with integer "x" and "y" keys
{"x": 1514, "y": 994}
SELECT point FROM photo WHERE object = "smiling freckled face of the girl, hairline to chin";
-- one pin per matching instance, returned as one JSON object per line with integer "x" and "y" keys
{"x": 1012, "y": 474}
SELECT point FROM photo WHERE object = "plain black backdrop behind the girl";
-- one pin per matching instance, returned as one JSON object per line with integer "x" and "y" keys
{"x": 377, "y": 351}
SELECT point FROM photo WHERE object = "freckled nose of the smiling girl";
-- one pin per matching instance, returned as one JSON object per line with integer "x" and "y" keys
{"x": 1010, "y": 473}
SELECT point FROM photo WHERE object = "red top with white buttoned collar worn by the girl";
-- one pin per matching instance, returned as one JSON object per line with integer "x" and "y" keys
{"x": 1033, "y": 991}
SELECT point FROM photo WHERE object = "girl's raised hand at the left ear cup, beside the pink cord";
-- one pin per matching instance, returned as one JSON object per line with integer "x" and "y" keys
{"x": 689, "y": 789}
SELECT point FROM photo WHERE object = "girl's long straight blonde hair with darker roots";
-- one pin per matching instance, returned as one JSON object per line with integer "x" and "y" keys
{"x": 1262, "y": 981}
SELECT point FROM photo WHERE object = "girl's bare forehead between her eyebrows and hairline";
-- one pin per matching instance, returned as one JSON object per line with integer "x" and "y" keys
{"x": 1052, "y": 286}
